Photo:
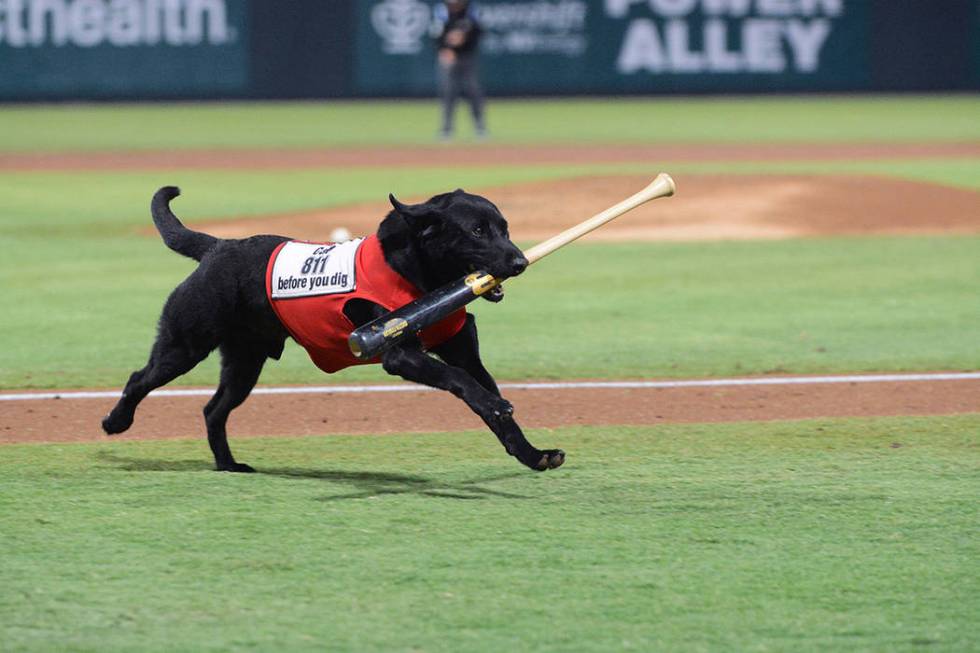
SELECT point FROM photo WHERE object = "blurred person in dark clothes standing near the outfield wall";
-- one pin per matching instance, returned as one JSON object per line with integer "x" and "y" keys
{"x": 457, "y": 71}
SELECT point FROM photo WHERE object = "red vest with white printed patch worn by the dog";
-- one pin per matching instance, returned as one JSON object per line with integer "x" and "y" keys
{"x": 309, "y": 283}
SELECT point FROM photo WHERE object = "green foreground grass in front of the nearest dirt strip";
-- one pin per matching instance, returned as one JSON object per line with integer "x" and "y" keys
{"x": 818, "y": 535}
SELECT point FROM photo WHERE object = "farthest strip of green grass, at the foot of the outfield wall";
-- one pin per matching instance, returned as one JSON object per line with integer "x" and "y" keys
{"x": 625, "y": 120}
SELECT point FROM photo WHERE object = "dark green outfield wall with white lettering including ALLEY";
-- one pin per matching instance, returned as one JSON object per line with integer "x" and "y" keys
{"x": 134, "y": 49}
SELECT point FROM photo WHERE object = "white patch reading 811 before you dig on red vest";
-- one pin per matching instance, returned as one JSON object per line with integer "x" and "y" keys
{"x": 310, "y": 269}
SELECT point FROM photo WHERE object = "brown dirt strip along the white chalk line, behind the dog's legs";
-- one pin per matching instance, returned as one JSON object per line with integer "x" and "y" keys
{"x": 77, "y": 420}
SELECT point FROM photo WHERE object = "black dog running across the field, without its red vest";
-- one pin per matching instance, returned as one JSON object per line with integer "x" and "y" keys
{"x": 224, "y": 304}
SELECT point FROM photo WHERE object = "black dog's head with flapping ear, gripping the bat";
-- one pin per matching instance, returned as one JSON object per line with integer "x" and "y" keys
{"x": 447, "y": 237}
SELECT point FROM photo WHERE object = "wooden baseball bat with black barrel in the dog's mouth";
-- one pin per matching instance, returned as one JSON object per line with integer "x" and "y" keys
{"x": 371, "y": 339}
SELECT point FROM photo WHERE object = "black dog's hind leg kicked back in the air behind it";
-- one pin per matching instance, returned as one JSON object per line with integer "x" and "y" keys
{"x": 168, "y": 360}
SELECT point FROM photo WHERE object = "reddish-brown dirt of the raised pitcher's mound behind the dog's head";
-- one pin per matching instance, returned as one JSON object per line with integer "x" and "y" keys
{"x": 706, "y": 207}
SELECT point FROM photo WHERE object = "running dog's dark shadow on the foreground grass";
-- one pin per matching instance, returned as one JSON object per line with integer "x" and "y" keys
{"x": 365, "y": 484}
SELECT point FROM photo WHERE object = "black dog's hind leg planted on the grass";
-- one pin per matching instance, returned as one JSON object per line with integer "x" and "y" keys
{"x": 241, "y": 365}
